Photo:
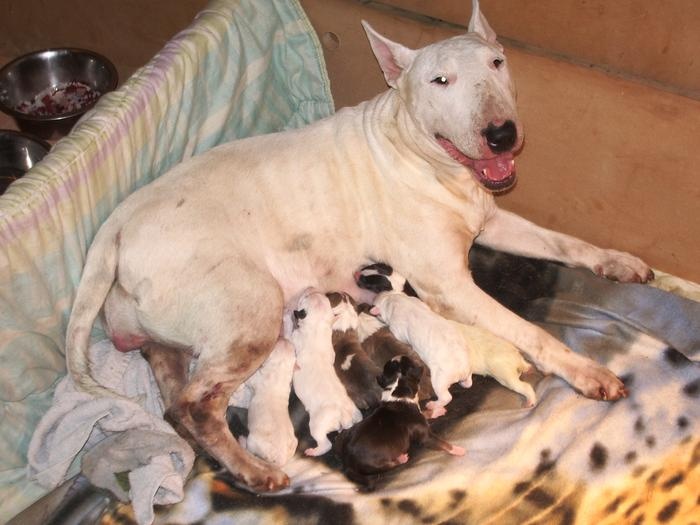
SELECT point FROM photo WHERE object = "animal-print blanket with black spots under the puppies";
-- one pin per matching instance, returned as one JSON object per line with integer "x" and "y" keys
{"x": 567, "y": 460}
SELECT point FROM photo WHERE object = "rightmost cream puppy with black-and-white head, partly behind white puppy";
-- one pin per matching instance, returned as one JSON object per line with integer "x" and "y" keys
{"x": 488, "y": 354}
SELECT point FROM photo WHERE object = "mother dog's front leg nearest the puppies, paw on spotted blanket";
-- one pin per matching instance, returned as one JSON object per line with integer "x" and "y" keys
{"x": 459, "y": 298}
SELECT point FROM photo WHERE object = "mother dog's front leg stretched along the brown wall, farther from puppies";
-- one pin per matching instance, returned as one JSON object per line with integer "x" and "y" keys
{"x": 511, "y": 233}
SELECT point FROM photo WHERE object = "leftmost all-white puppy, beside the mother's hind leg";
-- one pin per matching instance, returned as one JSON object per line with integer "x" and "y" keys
{"x": 266, "y": 395}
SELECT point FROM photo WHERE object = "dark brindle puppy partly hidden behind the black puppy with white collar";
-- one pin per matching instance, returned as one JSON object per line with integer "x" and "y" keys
{"x": 381, "y": 346}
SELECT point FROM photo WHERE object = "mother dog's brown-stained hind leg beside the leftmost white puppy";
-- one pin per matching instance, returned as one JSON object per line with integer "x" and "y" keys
{"x": 236, "y": 336}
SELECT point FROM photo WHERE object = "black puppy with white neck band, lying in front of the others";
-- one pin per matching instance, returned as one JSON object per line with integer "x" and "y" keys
{"x": 382, "y": 440}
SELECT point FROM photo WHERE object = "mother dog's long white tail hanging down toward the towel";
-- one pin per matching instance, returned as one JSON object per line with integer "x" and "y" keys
{"x": 98, "y": 276}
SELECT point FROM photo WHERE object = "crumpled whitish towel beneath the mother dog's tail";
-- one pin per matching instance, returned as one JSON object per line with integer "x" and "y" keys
{"x": 119, "y": 436}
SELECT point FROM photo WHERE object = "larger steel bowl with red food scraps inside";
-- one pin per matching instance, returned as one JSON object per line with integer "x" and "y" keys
{"x": 52, "y": 69}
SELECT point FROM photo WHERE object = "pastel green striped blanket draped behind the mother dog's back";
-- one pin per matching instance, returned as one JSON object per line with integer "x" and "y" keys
{"x": 242, "y": 68}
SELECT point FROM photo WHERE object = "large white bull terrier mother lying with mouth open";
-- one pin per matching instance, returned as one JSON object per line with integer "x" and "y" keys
{"x": 204, "y": 258}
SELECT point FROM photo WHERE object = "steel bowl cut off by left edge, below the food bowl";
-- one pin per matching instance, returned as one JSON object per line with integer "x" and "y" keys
{"x": 18, "y": 153}
